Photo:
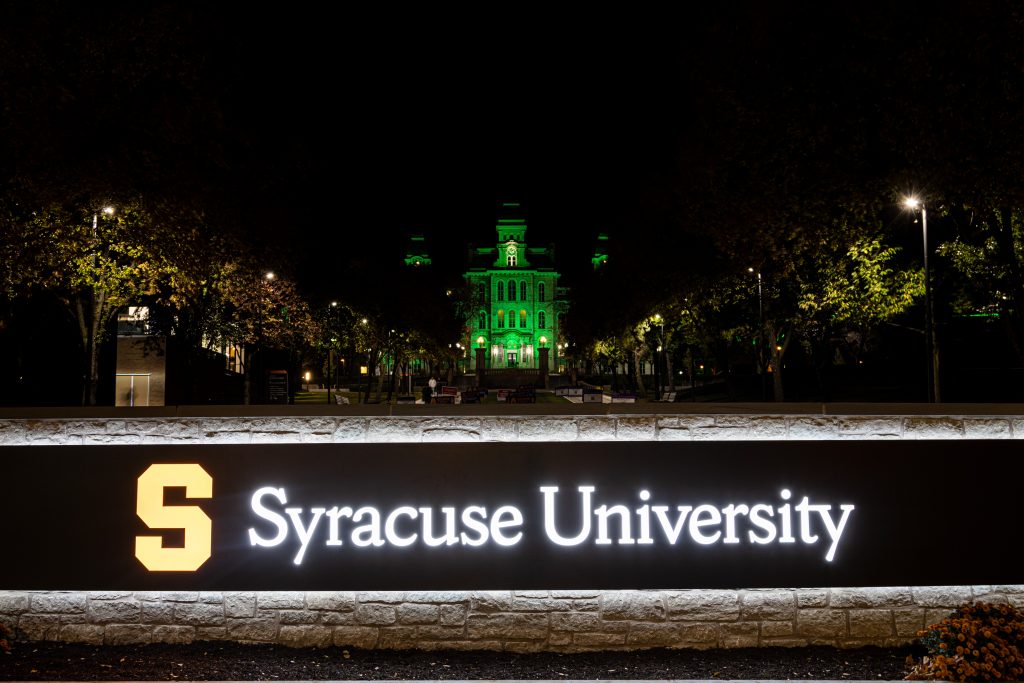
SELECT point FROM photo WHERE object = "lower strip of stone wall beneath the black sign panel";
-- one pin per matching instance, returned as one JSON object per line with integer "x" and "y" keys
{"x": 560, "y": 621}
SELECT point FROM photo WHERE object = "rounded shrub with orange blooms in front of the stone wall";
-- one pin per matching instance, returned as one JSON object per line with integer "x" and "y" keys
{"x": 978, "y": 643}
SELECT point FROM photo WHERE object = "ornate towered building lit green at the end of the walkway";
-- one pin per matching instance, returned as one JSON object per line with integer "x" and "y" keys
{"x": 519, "y": 303}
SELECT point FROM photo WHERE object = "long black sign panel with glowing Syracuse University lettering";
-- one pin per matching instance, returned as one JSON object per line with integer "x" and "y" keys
{"x": 510, "y": 516}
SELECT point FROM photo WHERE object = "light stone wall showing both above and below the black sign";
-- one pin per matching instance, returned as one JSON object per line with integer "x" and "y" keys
{"x": 561, "y": 621}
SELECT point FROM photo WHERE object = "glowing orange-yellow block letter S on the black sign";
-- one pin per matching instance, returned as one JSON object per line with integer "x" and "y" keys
{"x": 197, "y": 525}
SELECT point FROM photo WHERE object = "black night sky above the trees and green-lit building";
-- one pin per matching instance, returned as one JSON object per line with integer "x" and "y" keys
{"x": 330, "y": 135}
